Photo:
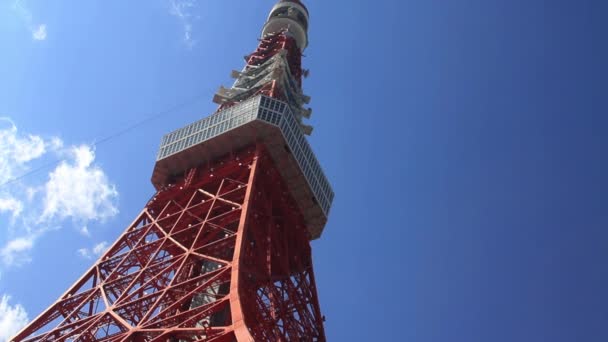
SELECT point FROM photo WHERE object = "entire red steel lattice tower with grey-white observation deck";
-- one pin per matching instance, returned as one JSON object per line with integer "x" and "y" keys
{"x": 221, "y": 252}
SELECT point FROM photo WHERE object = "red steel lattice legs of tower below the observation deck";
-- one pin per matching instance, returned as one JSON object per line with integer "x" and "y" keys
{"x": 222, "y": 255}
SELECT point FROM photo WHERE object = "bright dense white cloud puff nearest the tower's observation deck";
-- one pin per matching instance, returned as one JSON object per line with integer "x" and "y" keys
{"x": 79, "y": 190}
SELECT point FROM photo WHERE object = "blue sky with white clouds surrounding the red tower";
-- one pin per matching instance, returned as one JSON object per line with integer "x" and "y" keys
{"x": 466, "y": 142}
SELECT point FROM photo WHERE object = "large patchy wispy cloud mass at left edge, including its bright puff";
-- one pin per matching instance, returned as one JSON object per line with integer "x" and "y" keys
{"x": 76, "y": 191}
